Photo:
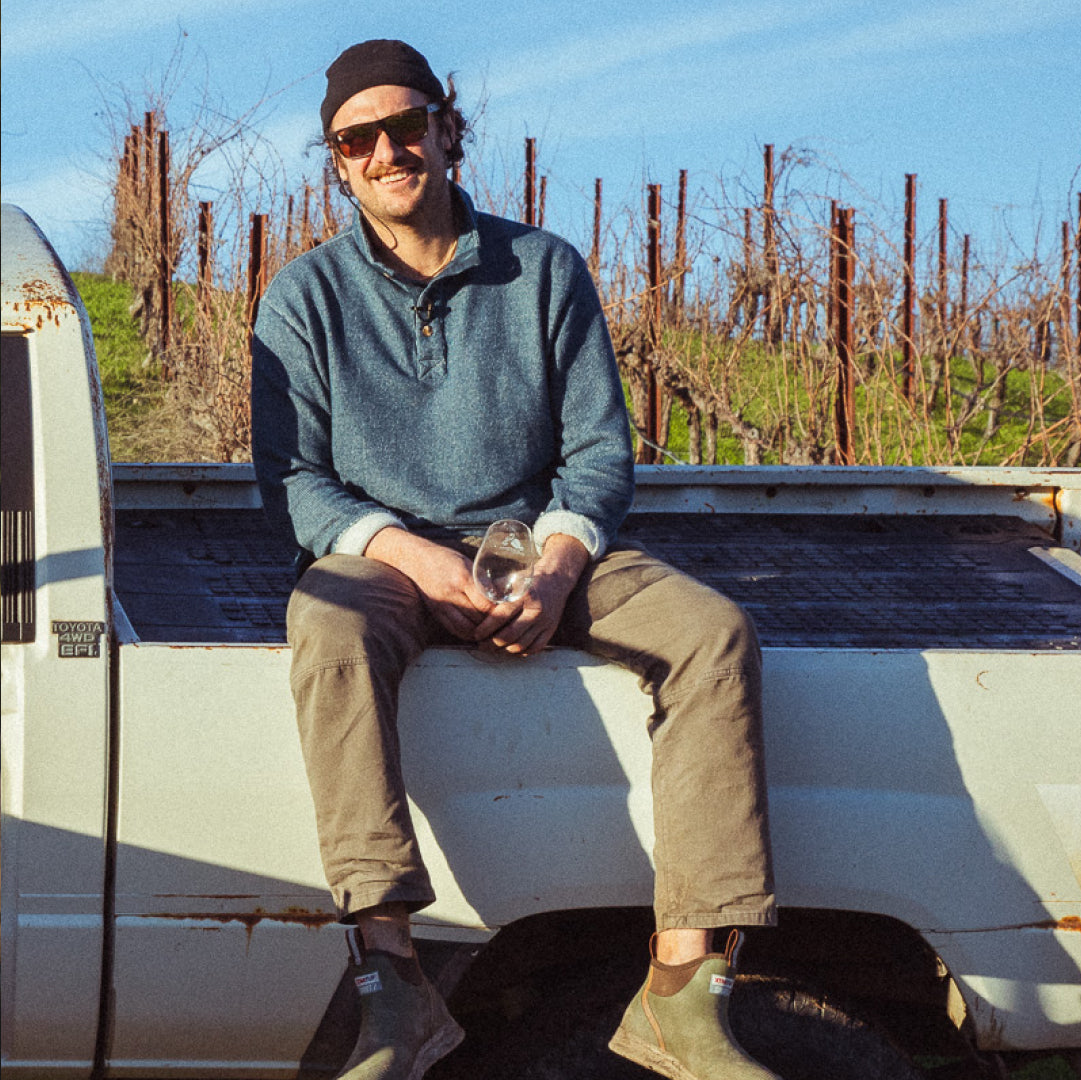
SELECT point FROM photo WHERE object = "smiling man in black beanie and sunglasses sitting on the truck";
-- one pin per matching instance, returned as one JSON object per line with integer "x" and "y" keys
{"x": 417, "y": 378}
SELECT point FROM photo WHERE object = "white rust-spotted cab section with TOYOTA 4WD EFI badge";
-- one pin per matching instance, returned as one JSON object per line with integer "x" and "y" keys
{"x": 57, "y": 510}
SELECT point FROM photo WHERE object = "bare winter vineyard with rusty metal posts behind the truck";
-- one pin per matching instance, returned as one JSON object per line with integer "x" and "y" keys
{"x": 778, "y": 327}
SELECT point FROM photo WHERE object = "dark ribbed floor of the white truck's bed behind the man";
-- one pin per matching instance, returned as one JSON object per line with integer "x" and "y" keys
{"x": 809, "y": 581}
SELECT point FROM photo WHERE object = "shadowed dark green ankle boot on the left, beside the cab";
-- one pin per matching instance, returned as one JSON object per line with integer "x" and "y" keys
{"x": 405, "y": 1025}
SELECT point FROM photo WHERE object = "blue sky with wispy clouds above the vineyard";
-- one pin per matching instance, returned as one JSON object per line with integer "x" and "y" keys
{"x": 979, "y": 98}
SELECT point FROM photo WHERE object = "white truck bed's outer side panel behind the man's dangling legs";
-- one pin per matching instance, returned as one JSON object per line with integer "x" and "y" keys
{"x": 553, "y": 759}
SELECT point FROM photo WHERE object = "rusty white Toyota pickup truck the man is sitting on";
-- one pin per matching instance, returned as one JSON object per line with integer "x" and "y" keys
{"x": 164, "y": 909}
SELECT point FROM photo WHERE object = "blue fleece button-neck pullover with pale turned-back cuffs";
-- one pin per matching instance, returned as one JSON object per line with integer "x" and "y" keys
{"x": 491, "y": 392}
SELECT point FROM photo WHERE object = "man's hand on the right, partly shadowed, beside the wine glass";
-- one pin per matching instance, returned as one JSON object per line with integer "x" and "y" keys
{"x": 525, "y": 628}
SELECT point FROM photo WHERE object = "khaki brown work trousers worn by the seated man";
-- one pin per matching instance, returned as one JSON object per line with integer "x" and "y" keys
{"x": 356, "y": 624}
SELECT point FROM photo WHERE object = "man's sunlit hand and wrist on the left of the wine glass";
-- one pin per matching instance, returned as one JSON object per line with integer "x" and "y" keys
{"x": 444, "y": 578}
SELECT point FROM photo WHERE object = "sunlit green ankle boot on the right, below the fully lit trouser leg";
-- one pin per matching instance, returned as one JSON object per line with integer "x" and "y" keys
{"x": 678, "y": 1023}
